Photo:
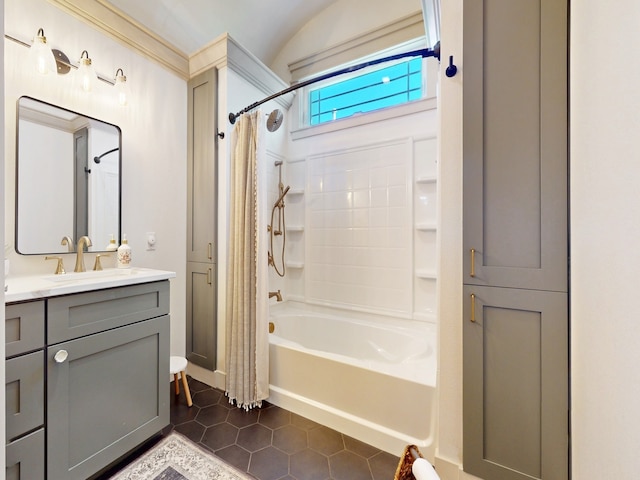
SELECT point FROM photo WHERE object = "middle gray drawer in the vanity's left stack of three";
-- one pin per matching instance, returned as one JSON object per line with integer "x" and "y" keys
{"x": 24, "y": 391}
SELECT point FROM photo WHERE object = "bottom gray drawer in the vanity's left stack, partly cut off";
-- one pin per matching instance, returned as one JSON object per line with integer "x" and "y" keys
{"x": 25, "y": 457}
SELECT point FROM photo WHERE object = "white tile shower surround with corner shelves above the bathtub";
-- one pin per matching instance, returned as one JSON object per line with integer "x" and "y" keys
{"x": 363, "y": 238}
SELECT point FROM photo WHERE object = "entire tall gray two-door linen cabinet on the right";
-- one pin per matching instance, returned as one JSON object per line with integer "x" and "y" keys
{"x": 515, "y": 322}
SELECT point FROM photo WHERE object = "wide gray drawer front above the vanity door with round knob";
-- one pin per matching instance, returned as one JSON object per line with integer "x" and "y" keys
{"x": 78, "y": 315}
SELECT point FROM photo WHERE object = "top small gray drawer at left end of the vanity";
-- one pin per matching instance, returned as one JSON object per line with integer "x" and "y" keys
{"x": 23, "y": 327}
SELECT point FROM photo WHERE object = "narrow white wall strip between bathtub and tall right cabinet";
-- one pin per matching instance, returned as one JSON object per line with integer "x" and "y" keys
{"x": 449, "y": 452}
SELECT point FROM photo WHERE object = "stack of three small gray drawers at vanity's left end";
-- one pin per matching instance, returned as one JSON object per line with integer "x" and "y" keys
{"x": 24, "y": 390}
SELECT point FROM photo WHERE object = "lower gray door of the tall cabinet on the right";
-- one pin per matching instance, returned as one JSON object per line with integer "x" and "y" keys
{"x": 515, "y": 397}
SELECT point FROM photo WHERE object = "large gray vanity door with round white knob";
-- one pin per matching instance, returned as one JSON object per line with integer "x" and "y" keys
{"x": 106, "y": 394}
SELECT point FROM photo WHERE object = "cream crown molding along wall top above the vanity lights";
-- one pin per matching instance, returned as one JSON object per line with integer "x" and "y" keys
{"x": 122, "y": 28}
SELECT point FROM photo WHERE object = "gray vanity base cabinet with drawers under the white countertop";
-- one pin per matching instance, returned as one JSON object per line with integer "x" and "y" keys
{"x": 104, "y": 358}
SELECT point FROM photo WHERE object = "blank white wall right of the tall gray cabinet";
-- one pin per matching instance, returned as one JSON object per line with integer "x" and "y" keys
{"x": 605, "y": 233}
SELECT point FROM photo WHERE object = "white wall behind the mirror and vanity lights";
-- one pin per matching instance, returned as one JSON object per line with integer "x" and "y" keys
{"x": 153, "y": 139}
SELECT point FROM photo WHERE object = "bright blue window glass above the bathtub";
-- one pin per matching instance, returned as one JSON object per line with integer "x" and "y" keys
{"x": 385, "y": 87}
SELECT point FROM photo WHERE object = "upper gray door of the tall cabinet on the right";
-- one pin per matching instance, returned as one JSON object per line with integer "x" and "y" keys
{"x": 515, "y": 143}
